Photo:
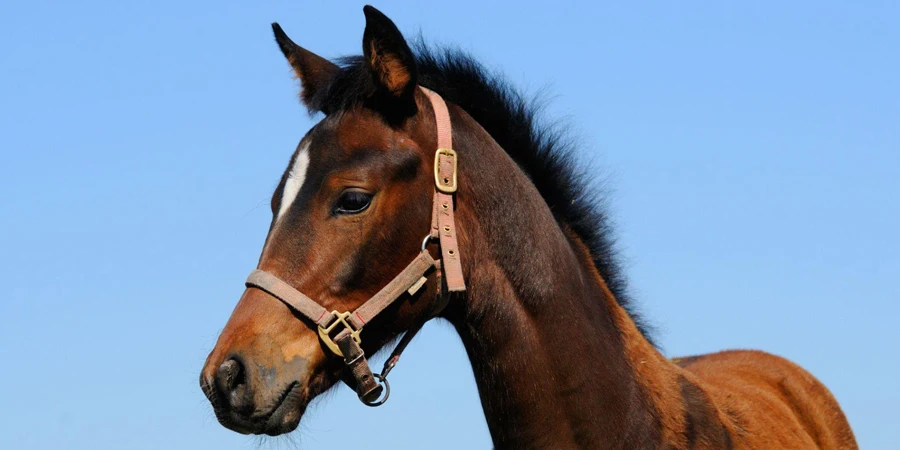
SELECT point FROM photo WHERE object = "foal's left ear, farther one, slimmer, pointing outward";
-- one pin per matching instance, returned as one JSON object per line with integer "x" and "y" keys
{"x": 314, "y": 71}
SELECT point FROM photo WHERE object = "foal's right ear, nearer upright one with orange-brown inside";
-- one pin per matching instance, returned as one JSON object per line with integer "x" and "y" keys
{"x": 389, "y": 57}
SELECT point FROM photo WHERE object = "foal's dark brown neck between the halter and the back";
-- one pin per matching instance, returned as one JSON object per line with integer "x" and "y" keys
{"x": 557, "y": 361}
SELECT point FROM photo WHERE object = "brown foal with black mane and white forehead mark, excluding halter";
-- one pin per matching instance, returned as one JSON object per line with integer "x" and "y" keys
{"x": 559, "y": 360}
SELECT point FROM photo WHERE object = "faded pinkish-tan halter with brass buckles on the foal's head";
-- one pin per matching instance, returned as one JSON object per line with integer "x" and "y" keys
{"x": 340, "y": 331}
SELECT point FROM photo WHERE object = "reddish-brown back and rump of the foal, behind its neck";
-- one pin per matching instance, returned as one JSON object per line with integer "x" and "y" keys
{"x": 765, "y": 401}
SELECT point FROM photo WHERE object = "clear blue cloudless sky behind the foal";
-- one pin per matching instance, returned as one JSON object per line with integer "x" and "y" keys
{"x": 753, "y": 150}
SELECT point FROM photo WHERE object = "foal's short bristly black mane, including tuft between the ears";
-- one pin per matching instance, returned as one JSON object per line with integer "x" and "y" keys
{"x": 542, "y": 151}
